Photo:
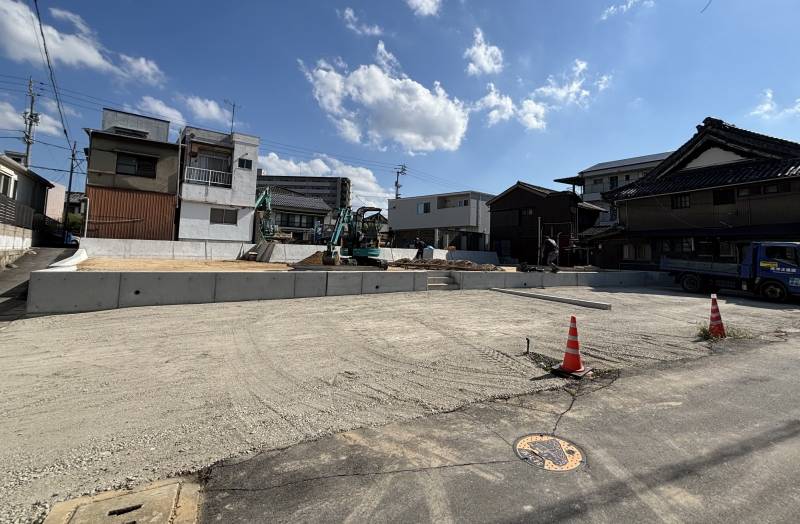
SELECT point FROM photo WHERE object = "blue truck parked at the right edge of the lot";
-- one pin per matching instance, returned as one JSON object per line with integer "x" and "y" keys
{"x": 769, "y": 269}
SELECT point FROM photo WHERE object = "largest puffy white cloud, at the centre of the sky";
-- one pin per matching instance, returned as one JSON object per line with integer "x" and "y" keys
{"x": 374, "y": 104}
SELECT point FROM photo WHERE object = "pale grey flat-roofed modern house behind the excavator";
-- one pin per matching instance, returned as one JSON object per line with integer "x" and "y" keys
{"x": 447, "y": 219}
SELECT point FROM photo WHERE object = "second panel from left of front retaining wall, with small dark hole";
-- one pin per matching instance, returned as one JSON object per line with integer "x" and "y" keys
{"x": 156, "y": 289}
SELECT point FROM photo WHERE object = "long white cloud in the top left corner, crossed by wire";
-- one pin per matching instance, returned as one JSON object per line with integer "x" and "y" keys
{"x": 77, "y": 48}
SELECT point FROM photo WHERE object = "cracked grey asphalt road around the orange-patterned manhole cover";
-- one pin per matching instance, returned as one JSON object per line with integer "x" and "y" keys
{"x": 715, "y": 439}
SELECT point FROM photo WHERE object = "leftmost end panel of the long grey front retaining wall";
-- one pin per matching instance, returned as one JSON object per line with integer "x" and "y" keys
{"x": 68, "y": 292}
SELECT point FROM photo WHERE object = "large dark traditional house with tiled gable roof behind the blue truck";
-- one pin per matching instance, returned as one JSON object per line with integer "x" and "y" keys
{"x": 723, "y": 187}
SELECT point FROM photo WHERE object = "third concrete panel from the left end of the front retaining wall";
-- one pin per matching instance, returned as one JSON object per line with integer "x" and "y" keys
{"x": 234, "y": 287}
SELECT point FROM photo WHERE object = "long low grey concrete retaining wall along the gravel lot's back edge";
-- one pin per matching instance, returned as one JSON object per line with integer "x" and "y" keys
{"x": 59, "y": 291}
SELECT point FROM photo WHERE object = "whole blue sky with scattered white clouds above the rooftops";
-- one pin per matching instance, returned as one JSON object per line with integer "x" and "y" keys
{"x": 469, "y": 94}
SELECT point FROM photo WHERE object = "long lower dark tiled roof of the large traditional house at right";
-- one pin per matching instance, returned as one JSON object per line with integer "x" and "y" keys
{"x": 729, "y": 174}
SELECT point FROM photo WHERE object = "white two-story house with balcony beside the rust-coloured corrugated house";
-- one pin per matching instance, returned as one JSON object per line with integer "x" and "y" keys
{"x": 218, "y": 185}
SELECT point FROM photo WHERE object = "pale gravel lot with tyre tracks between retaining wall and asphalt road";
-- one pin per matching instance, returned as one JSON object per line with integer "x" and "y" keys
{"x": 109, "y": 399}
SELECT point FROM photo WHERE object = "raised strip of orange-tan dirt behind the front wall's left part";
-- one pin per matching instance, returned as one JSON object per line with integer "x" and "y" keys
{"x": 155, "y": 264}
